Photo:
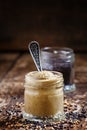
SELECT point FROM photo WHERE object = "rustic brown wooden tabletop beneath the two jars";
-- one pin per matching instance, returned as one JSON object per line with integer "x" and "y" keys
{"x": 13, "y": 67}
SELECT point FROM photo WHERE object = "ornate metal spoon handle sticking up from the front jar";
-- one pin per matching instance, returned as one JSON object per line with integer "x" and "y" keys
{"x": 35, "y": 53}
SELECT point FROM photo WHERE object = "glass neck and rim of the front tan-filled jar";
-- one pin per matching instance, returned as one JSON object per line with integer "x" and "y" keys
{"x": 37, "y": 82}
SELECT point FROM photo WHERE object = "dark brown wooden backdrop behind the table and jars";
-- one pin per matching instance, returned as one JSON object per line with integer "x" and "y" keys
{"x": 50, "y": 22}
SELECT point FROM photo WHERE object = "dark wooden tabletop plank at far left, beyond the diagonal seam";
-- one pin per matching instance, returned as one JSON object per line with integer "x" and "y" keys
{"x": 6, "y": 62}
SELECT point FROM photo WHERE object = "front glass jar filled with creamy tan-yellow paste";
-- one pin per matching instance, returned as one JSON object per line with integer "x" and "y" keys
{"x": 43, "y": 96}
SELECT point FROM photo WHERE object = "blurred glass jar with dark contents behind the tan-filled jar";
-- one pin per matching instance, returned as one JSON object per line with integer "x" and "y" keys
{"x": 62, "y": 60}
